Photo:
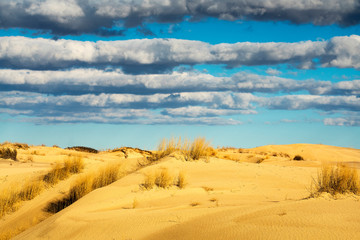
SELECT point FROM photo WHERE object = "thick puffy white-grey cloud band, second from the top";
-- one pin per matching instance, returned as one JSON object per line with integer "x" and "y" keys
{"x": 162, "y": 55}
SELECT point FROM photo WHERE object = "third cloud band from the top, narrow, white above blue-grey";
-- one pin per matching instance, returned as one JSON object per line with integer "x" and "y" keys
{"x": 95, "y": 81}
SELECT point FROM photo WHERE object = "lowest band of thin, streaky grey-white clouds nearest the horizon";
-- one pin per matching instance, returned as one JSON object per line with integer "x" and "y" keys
{"x": 184, "y": 107}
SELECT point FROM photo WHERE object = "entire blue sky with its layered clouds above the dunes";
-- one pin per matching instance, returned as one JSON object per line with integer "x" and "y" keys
{"x": 244, "y": 73}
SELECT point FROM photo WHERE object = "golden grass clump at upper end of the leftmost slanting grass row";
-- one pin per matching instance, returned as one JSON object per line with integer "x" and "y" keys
{"x": 62, "y": 171}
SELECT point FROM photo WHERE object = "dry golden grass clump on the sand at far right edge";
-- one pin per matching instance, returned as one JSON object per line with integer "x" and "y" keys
{"x": 336, "y": 179}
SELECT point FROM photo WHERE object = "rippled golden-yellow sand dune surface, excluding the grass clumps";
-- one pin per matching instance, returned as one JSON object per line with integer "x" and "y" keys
{"x": 223, "y": 199}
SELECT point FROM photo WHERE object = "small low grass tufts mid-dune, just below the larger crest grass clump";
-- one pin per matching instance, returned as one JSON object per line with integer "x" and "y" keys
{"x": 163, "y": 179}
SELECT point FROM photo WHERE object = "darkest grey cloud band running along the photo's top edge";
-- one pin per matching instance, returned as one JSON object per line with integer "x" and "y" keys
{"x": 89, "y": 16}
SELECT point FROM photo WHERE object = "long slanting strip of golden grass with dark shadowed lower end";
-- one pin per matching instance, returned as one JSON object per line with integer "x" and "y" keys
{"x": 85, "y": 184}
